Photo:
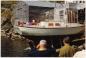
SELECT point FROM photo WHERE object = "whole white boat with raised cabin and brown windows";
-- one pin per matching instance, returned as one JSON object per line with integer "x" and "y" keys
{"x": 49, "y": 28}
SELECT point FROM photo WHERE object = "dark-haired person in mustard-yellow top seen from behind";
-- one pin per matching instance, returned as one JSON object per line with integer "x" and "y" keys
{"x": 67, "y": 50}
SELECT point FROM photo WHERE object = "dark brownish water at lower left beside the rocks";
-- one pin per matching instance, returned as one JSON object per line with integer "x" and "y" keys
{"x": 12, "y": 47}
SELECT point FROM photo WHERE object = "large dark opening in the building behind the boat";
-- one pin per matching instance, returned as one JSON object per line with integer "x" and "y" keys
{"x": 38, "y": 13}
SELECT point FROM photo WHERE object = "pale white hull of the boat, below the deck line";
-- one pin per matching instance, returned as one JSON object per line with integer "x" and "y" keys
{"x": 35, "y": 31}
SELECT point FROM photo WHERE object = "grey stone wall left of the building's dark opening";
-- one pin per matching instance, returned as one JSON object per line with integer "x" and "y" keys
{"x": 21, "y": 11}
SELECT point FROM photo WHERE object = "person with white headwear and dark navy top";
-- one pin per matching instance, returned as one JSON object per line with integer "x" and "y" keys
{"x": 42, "y": 50}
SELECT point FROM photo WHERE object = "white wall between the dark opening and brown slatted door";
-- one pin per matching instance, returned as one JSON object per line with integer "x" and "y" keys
{"x": 57, "y": 9}
